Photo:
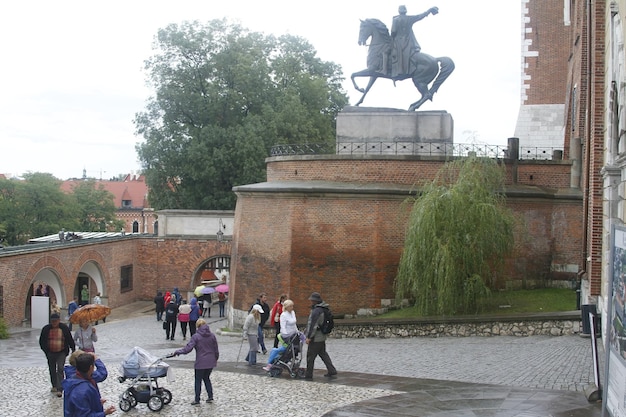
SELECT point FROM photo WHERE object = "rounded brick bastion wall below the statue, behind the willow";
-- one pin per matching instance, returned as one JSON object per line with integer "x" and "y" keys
{"x": 337, "y": 239}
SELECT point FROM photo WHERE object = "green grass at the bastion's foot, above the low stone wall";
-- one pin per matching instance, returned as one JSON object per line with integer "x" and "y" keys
{"x": 545, "y": 300}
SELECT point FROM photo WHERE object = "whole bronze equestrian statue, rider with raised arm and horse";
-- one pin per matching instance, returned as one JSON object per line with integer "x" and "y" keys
{"x": 397, "y": 56}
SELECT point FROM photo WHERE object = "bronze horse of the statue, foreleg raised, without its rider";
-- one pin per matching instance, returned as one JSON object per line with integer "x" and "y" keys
{"x": 423, "y": 68}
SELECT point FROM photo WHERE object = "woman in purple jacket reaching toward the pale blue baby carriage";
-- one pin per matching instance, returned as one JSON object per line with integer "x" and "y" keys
{"x": 207, "y": 354}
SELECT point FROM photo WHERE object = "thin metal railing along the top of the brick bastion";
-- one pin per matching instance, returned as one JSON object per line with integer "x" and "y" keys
{"x": 417, "y": 148}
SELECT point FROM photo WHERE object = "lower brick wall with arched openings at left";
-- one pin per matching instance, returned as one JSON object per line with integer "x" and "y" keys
{"x": 158, "y": 264}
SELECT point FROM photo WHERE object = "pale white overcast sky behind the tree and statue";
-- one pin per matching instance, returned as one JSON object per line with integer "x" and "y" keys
{"x": 72, "y": 71}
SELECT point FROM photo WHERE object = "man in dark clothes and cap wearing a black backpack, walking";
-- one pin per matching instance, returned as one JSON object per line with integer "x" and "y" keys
{"x": 320, "y": 323}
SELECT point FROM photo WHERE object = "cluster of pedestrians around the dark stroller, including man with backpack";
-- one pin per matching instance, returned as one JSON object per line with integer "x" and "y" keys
{"x": 285, "y": 330}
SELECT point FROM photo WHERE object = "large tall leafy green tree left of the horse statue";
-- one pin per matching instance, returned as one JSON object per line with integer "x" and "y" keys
{"x": 223, "y": 97}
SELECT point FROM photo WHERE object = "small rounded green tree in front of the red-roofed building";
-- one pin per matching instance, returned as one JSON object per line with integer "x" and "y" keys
{"x": 95, "y": 208}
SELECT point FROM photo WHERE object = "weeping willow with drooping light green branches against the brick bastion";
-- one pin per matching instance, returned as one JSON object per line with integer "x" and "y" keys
{"x": 458, "y": 234}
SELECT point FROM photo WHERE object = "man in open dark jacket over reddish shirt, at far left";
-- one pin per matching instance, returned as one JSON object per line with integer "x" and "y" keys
{"x": 56, "y": 341}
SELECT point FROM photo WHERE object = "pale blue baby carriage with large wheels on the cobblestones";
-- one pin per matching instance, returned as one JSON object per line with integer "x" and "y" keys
{"x": 143, "y": 371}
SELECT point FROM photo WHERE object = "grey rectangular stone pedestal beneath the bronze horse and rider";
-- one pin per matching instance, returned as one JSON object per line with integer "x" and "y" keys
{"x": 370, "y": 130}
